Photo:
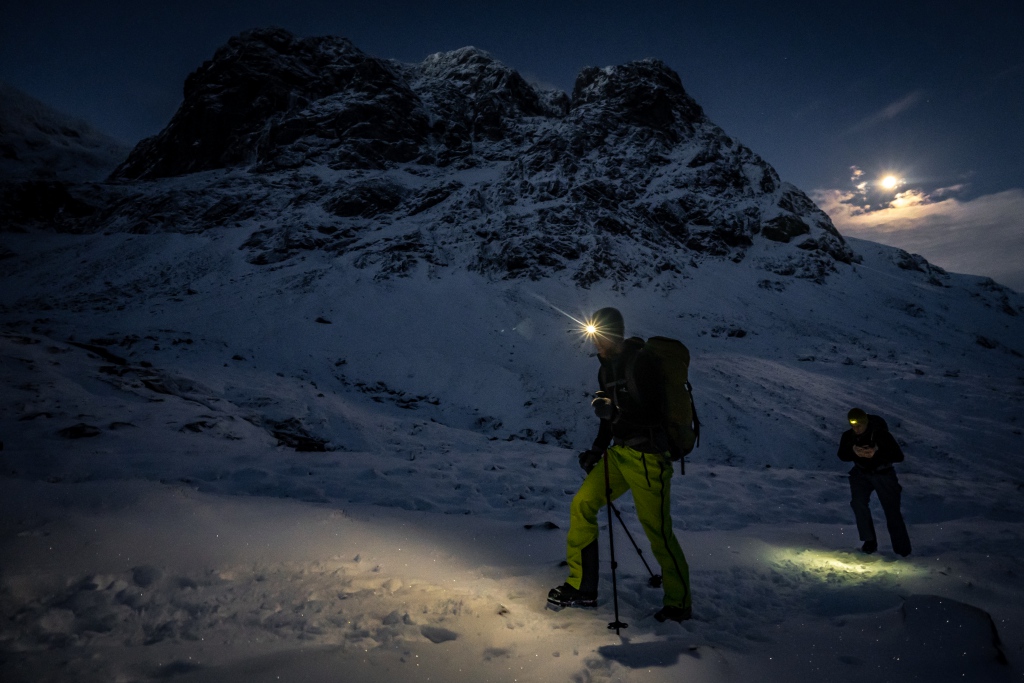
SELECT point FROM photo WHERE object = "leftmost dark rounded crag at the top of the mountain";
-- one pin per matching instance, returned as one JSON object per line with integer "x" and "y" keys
{"x": 266, "y": 92}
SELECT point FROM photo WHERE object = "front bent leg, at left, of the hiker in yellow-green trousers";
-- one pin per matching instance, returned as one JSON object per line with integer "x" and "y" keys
{"x": 581, "y": 543}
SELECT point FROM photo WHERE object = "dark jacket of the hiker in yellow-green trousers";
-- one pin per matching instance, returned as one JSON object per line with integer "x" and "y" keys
{"x": 638, "y": 398}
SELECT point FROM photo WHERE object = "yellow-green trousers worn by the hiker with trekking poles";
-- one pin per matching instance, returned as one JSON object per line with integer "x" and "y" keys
{"x": 649, "y": 477}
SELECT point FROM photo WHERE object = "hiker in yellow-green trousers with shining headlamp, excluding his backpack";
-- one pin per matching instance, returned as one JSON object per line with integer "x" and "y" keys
{"x": 632, "y": 439}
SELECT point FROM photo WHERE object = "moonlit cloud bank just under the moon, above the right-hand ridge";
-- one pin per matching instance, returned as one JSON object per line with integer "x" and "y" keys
{"x": 984, "y": 237}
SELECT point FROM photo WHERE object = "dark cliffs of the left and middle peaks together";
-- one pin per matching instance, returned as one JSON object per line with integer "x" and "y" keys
{"x": 274, "y": 102}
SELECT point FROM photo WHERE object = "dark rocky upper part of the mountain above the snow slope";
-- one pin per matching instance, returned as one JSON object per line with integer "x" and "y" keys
{"x": 457, "y": 162}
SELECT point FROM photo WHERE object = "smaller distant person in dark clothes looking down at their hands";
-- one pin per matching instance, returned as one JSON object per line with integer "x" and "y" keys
{"x": 873, "y": 451}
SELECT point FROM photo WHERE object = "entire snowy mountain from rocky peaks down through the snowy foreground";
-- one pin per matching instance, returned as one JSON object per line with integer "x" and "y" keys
{"x": 339, "y": 281}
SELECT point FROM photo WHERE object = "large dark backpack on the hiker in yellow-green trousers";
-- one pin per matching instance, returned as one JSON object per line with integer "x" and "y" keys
{"x": 681, "y": 423}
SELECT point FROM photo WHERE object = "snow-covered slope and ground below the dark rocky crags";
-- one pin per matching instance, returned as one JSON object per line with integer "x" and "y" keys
{"x": 159, "y": 522}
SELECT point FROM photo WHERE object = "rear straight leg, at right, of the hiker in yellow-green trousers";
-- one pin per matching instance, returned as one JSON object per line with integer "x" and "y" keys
{"x": 650, "y": 477}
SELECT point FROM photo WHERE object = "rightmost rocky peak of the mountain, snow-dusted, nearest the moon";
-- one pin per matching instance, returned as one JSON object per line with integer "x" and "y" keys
{"x": 635, "y": 166}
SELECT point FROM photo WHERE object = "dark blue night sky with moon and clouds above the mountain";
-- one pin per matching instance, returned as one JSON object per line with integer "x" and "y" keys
{"x": 836, "y": 96}
